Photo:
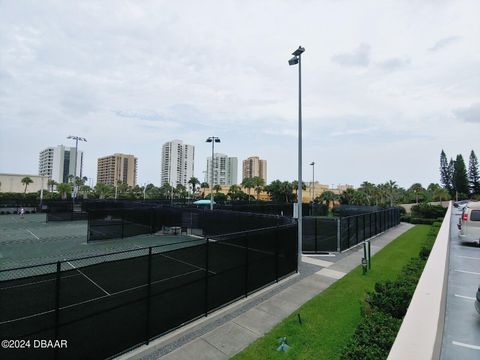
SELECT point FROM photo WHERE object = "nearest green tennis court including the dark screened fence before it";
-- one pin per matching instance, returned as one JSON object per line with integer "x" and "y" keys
{"x": 116, "y": 294}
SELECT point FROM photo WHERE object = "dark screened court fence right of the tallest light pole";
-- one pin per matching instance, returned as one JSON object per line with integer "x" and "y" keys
{"x": 338, "y": 234}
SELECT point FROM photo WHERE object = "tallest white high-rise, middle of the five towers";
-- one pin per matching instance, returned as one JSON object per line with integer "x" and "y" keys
{"x": 177, "y": 163}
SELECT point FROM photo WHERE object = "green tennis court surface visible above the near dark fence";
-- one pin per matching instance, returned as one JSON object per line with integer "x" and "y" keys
{"x": 31, "y": 240}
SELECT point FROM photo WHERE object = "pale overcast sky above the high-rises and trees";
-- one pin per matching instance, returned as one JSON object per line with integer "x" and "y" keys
{"x": 386, "y": 84}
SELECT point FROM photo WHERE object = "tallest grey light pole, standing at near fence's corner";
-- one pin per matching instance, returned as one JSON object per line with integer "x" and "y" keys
{"x": 297, "y": 59}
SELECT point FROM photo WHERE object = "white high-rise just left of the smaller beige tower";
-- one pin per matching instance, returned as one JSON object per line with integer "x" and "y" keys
{"x": 225, "y": 170}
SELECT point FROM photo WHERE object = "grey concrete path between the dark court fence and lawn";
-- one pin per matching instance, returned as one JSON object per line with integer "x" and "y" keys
{"x": 231, "y": 329}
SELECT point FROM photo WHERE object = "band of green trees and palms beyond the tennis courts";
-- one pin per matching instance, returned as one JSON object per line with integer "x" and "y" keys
{"x": 368, "y": 194}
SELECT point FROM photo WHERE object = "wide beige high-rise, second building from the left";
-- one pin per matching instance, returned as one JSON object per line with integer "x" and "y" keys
{"x": 116, "y": 167}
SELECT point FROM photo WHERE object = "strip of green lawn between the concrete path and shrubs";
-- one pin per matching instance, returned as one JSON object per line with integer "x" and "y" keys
{"x": 330, "y": 319}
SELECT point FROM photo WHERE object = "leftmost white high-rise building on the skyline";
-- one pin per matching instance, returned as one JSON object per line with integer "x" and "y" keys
{"x": 59, "y": 162}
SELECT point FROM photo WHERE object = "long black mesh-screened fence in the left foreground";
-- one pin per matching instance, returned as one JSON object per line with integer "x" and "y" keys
{"x": 105, "y": 305}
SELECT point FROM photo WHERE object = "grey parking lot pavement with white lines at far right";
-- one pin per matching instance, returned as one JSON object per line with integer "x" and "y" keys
{"x": 461, "y": 336}
